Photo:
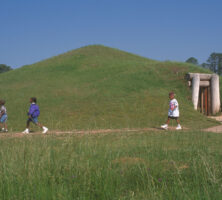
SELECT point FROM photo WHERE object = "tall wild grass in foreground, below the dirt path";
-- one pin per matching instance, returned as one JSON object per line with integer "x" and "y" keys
{"x": 160, "y": 165}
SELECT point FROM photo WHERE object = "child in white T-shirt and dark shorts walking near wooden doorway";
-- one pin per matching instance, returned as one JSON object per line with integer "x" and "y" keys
{"x": 173, "y": 112}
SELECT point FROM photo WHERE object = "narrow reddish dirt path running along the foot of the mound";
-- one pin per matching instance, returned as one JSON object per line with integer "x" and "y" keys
{"x": 84, "y": 132}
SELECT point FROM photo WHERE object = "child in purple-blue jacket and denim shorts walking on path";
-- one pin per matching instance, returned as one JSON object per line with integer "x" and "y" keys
{"x": 33, "y": 114}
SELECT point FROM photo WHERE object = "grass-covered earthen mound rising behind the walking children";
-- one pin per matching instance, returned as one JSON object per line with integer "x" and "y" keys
{"x": 99, "y": 87}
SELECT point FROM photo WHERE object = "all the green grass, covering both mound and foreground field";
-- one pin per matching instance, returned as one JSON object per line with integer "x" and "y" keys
{"x": 97, "y": 87}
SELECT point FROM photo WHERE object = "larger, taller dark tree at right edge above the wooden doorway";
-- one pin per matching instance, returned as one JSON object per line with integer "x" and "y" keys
{"x": 215, "y": 63}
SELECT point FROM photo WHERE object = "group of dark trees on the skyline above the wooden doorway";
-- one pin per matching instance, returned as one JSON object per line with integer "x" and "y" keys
{"x": 213, "y": 63}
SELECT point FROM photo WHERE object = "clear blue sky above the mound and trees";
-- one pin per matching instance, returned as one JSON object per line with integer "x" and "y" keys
{"x": 31, "y": 31}
